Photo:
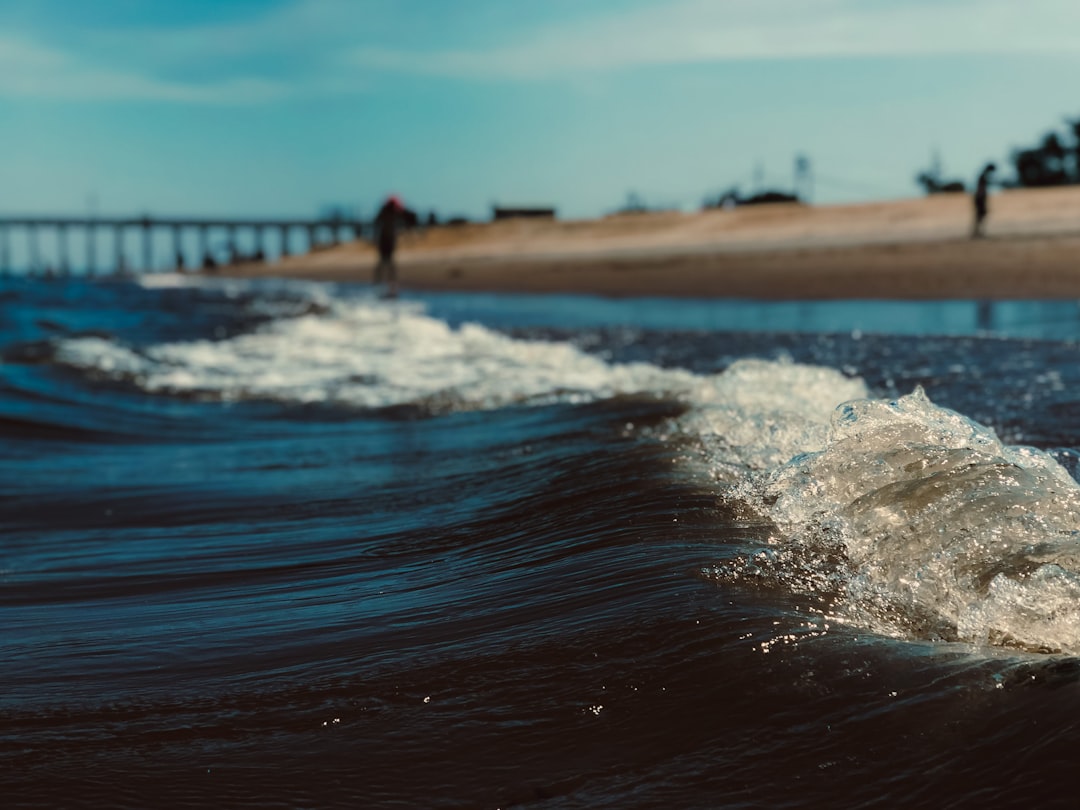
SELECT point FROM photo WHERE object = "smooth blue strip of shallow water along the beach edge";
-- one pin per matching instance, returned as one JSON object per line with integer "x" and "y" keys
{"x": 1058, "y": 320}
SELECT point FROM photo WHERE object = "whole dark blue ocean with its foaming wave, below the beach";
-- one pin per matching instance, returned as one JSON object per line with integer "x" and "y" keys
{"x": 292, "y": 546}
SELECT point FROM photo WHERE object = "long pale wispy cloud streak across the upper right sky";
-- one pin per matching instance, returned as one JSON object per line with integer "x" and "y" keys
{"x": 682, "y": 32}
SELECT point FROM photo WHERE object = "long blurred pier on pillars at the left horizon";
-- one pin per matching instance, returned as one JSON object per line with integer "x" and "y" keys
{"x": 290, "y": 236}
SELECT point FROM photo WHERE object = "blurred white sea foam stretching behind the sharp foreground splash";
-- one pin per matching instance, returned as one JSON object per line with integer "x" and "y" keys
{"x": 371, "y": 354}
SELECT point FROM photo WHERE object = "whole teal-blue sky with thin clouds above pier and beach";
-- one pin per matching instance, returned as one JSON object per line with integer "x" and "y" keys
{"x": 279, "y": 107}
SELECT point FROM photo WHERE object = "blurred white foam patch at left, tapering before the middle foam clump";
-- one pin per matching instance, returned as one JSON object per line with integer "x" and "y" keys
{"x": 372, "y": 355}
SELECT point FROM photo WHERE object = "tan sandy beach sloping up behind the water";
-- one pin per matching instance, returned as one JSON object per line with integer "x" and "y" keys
{"x": 916, "y": 249}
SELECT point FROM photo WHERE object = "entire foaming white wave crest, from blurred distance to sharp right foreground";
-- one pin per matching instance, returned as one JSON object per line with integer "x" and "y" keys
{"x": 901, "y": 517}
